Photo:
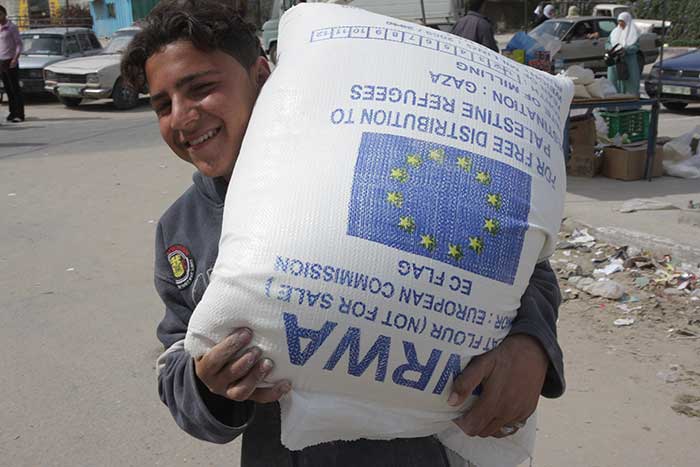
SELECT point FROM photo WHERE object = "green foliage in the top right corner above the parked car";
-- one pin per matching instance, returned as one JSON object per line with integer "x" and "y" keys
{"x": 683, "y": 14}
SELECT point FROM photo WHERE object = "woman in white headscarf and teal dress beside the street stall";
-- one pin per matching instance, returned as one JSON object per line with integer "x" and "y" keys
{"x": 626, "y": 37}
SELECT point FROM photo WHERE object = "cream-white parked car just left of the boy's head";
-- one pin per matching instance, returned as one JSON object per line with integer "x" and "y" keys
{"x": 95, "y": 77}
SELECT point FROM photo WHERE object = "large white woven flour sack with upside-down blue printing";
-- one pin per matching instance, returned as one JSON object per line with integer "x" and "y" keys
{"x": 393, "y": 193}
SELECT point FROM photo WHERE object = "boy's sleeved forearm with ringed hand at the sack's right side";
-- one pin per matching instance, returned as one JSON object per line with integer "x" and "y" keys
{"x": 514, "y": 374}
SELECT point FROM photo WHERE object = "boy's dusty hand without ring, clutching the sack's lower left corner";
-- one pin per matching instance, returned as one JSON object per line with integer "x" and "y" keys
{"x": 236, "y": 377}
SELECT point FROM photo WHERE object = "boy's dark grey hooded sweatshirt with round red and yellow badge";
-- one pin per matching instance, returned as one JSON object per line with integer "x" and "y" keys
{"x": 187, "y": 241}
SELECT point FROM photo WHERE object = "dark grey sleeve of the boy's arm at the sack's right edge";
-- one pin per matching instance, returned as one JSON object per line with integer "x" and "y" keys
{"x": 537, "y": 317}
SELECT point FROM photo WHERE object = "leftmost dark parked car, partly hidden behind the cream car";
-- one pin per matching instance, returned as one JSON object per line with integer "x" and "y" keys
{"x": 45, "y": 46}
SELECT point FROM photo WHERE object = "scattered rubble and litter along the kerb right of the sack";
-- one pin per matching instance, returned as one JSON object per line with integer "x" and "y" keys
{"x": 629, "y": 283}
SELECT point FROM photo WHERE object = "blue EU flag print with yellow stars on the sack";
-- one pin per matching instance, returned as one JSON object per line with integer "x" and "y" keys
{"x": 440, "y": 202}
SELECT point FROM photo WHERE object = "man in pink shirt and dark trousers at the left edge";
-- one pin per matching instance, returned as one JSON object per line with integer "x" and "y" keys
{"x": 10, "y": 48}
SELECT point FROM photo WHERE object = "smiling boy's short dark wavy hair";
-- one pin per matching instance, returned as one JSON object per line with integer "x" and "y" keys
{"x": 208, "y": 24}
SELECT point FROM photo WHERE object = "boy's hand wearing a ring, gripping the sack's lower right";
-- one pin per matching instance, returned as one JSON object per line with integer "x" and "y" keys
{"x": 512, "y": 376}
